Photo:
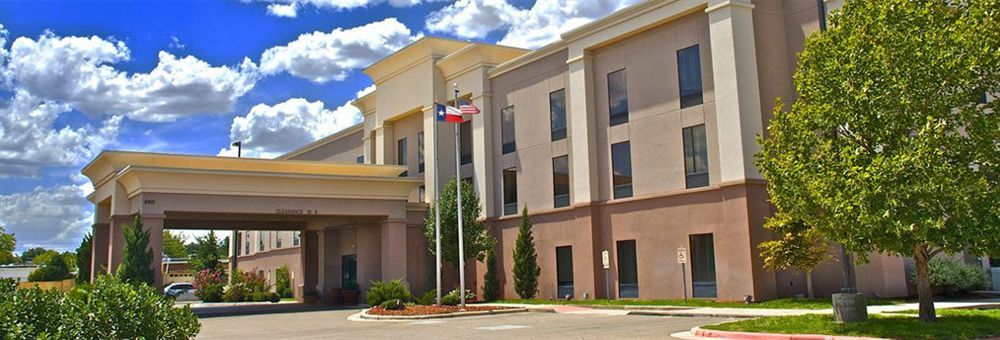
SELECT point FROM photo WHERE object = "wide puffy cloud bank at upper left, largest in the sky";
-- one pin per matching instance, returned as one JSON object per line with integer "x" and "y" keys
{"x": 78, "y": 71}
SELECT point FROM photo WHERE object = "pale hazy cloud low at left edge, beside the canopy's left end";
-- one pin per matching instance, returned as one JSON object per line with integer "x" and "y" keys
{"x": 49, "y": 217}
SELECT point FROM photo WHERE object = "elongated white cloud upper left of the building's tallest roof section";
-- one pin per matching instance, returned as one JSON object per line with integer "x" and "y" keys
{"x": 322, "y": 57}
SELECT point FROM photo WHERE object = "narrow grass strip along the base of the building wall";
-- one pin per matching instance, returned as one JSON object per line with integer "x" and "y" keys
{"x": 789, "y": 303}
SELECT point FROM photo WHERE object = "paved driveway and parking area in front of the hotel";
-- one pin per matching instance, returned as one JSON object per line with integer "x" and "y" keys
{"x": 333, "y": 324}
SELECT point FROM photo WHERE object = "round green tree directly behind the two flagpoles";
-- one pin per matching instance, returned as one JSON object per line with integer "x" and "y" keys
{"x": 476, "y": 235}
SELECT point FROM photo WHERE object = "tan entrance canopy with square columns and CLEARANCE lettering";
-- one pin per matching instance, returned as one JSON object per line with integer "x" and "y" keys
{"x": 185, "y": 191}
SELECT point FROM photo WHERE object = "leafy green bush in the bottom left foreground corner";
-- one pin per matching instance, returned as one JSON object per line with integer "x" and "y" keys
{"x": 108, "y": 309}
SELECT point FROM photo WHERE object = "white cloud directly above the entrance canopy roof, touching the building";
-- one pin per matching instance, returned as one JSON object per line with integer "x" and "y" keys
{"x": 268, "y": 131}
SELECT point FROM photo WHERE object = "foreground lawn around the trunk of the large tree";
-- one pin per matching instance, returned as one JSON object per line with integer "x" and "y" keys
{"x": 952, "y": 324}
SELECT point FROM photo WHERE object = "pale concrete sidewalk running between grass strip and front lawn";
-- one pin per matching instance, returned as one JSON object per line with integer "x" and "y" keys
{"x": 730, "y": 312}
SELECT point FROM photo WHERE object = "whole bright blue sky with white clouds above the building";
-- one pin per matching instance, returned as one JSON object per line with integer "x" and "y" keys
{"x": 192, "y": 76}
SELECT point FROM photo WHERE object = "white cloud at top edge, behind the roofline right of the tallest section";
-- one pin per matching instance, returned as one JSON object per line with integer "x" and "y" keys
{"x": 527, "y": 28}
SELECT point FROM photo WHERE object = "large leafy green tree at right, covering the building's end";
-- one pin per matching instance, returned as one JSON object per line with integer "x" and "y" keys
{"x": 887, "y": 148}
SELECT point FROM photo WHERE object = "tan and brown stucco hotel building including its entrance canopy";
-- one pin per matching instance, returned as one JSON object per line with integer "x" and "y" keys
{"x": 746, "y": 57}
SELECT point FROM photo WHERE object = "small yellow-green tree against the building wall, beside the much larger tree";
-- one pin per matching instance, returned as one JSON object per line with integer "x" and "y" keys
{"x": 797, "y": 246}
